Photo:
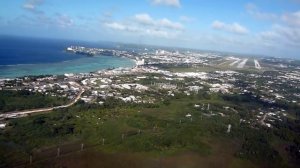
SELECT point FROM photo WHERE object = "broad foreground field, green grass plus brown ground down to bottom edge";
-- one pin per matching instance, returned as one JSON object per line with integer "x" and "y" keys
{"x": 135, "y": 136}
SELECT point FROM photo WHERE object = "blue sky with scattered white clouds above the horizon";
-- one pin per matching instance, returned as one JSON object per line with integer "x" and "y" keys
{"x": 260, "y": 27}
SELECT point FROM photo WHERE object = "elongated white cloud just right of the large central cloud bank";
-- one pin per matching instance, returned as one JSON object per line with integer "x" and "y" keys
{"x": 233, "y": 27}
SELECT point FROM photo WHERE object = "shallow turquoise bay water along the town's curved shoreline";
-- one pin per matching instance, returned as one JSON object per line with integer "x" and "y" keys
{"x": 84, "y": 64}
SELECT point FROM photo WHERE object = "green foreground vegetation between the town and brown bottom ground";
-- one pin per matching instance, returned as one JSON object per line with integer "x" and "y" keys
{"x": 159, "y": 130}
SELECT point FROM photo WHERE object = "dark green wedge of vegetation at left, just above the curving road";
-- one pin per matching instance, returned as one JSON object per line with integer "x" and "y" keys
{"x": 23, "y": 100}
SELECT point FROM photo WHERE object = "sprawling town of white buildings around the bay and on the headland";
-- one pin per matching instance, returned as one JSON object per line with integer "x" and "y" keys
{"x": 146, "y": 83}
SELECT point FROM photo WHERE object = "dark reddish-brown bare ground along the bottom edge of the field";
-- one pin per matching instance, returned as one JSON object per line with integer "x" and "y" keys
{"x": 223, "y": 156}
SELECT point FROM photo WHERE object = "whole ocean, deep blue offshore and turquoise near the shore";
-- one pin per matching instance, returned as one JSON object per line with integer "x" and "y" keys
{"x": 22, "y": 56}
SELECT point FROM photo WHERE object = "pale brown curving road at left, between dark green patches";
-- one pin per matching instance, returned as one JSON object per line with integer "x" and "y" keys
{"x": 17, "y": 114}
